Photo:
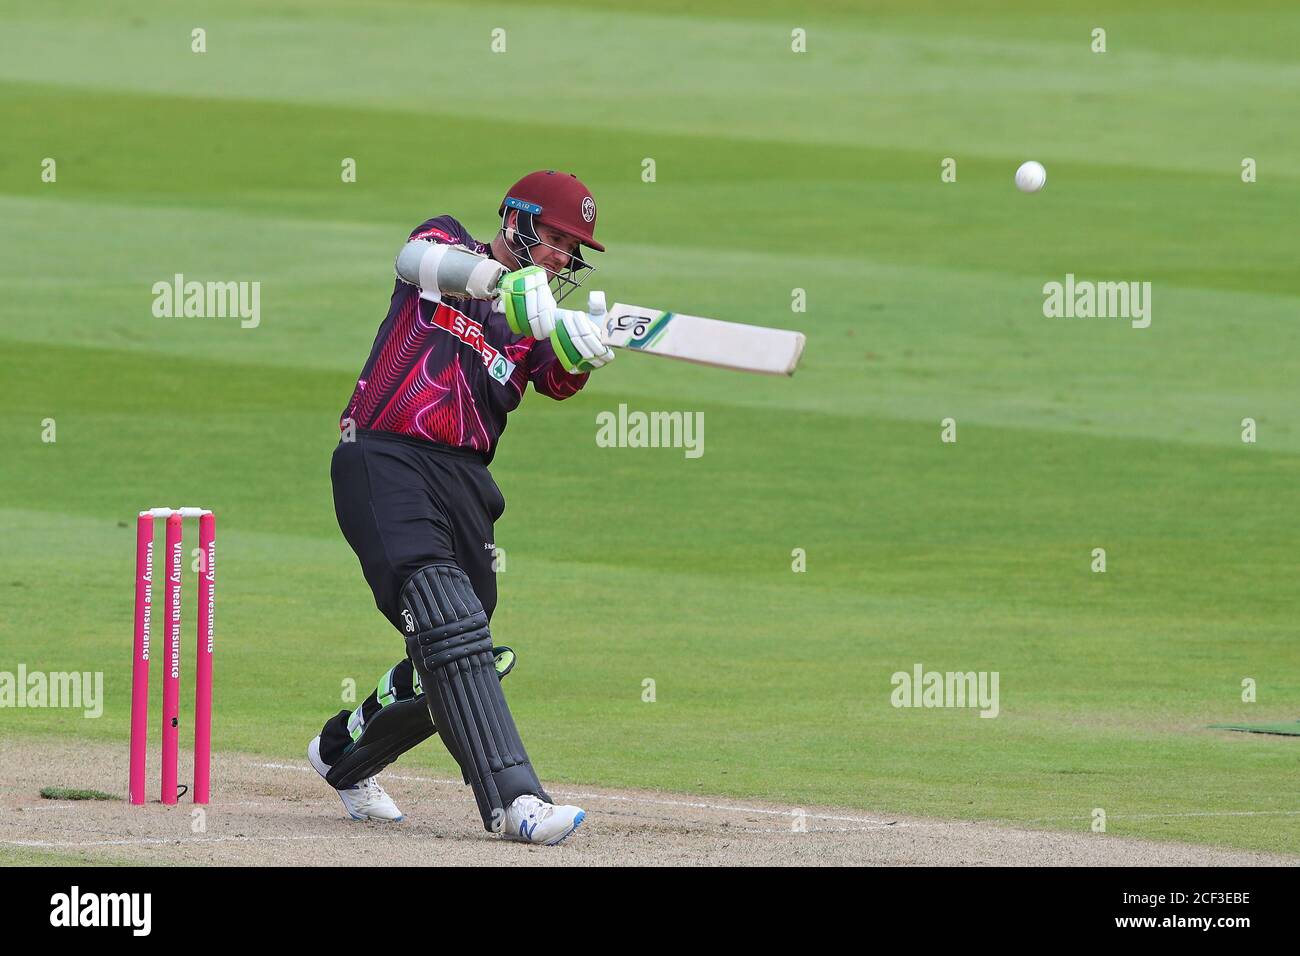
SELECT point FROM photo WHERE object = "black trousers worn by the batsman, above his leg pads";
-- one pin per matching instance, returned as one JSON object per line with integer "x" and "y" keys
{"x": 404, "y": 505}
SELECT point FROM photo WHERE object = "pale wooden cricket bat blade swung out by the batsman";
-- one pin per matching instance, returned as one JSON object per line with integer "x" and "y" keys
{"x": 704, "y": 341}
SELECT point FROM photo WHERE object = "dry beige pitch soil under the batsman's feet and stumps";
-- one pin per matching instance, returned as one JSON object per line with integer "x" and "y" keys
{"x": 280, "y": 814}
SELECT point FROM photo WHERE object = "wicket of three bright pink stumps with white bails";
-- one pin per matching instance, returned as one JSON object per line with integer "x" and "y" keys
{"x": 172, "y": 661}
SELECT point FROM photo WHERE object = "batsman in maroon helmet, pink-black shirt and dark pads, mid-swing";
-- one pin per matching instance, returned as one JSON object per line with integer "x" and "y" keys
{"x": 470, "y": 326}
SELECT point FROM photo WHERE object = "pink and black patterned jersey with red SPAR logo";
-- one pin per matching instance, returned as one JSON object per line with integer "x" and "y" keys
{"x": 450, "y": 371}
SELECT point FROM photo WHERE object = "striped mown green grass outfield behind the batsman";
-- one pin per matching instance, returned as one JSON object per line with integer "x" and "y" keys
{"x": 775, "y": 171}
